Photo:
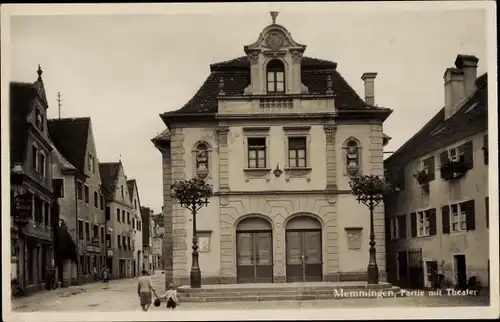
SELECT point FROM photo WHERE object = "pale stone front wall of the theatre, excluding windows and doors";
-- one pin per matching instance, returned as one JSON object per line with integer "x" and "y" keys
{"x": 276, "y": 198}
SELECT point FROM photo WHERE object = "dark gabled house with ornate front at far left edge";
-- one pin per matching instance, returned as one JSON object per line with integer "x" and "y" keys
{"x": 31, "y": 185}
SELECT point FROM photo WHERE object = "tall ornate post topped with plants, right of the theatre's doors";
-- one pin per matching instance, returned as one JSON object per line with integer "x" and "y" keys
{"x": 370, "y": 191}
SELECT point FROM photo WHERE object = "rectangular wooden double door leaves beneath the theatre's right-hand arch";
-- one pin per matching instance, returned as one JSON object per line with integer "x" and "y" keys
{"x": 303, "y": 256}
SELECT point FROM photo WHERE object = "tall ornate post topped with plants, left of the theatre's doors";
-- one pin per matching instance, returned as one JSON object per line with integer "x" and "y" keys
{"x": 193, "y": 195}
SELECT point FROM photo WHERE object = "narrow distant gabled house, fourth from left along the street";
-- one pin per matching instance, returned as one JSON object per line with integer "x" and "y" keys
{"x": 136, "y": 226}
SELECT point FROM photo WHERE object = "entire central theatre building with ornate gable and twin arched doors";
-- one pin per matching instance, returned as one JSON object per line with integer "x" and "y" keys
{"x": 278, "y": 135}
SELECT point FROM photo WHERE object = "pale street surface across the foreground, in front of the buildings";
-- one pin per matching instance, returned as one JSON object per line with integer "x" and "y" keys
{"x": 121, "y": 295}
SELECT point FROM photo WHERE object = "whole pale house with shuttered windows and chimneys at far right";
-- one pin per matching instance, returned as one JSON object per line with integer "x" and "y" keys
{"x": 437, "y": 220}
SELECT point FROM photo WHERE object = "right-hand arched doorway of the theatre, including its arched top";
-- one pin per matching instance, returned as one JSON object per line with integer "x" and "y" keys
{"x": 303, "y": 250}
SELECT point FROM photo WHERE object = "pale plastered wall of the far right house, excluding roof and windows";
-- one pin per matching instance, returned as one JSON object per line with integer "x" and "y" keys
{"x": 441, "y": 247}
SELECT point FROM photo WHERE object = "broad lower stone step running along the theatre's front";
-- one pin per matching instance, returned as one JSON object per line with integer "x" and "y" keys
{"x": 286, "y": 297}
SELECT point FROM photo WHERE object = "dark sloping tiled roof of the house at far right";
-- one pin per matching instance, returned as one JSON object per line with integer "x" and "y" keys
{"x": 471, "y": 118}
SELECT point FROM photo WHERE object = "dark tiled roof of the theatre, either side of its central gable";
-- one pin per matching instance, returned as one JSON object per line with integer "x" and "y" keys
{"x": 236, "y": 76}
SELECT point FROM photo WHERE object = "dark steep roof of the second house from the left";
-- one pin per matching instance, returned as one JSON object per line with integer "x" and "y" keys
{"x": 70, "y": 136}
